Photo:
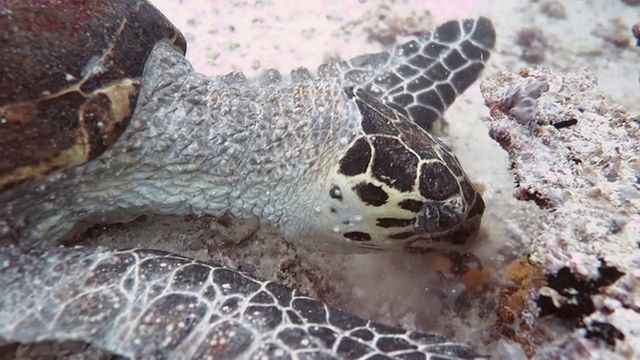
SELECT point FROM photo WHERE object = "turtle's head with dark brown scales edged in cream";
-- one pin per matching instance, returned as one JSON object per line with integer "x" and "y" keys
{"x": 397, "y": 186}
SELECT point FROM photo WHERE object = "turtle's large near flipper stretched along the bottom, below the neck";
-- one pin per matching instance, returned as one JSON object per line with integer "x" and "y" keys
{"x": 146, "y": 304}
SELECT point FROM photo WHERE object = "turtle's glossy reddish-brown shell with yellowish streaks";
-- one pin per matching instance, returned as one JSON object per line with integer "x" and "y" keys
{"x": 70, "y": 73}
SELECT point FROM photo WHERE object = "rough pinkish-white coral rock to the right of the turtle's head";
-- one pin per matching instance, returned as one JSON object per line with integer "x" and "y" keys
{"x": 574, "y": 154}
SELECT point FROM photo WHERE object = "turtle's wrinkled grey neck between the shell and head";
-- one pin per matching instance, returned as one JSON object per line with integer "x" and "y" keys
{"x": 199, "y": 145}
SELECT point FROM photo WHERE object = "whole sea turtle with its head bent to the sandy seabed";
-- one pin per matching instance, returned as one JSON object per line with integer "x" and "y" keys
{"x": 101, "y": 116}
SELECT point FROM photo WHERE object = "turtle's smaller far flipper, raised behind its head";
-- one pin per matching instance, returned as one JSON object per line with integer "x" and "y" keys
{"x": 423, "y": 77}
